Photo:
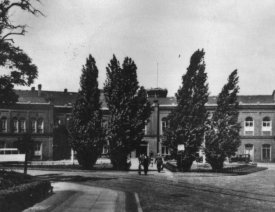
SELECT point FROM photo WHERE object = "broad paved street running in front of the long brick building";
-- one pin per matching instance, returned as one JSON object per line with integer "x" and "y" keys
{"x": 165, "y": 191}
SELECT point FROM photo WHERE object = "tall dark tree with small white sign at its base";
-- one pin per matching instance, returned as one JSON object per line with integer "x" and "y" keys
{"x": 187, "y": 121}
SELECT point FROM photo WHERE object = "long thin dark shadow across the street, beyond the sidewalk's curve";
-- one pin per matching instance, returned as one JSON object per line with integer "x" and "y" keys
{"x": 73, "y": 178}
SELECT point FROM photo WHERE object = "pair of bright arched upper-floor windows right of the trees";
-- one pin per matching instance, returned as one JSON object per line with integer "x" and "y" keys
{"x": 249, "y": 126}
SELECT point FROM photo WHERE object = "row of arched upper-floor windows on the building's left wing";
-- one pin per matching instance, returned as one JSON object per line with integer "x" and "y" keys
{"x": 18, "y": 125}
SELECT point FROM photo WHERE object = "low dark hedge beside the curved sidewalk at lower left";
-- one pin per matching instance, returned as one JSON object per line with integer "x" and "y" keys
{"x": 23, "y": 196}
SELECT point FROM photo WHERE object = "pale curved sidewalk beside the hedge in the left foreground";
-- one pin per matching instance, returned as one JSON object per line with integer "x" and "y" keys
{"x": 71, "y": 197}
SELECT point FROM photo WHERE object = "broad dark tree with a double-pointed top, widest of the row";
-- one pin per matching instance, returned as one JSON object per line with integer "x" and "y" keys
{"x": 129, "y": 110}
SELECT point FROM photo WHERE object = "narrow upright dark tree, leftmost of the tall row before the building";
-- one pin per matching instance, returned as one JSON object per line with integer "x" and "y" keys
{"x": 86, "y": 131}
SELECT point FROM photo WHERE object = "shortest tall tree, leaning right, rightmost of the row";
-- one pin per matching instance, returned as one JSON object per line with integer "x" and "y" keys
{"x": 222, "y": 139}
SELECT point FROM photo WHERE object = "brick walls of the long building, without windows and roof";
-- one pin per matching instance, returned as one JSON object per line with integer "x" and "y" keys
{"x": 60, "y": 115}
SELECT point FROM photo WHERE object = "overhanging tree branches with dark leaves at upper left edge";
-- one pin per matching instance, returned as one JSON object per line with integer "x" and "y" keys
{"x": 19, "y": 66}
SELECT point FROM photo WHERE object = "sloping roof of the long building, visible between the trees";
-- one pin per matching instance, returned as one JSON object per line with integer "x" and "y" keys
{"x": 66, "y": 98}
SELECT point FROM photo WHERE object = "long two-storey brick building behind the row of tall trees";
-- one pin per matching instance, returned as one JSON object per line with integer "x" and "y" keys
{"x": 46, "y": 113}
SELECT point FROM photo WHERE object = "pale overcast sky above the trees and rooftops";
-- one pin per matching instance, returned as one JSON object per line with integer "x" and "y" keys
{"x": 235, "y": 34}
